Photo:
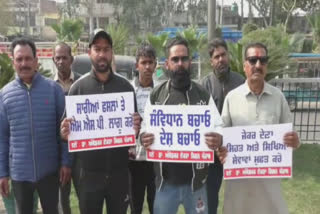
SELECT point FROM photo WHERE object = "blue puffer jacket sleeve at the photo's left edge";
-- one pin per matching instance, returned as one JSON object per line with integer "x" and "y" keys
{"x": 4, "y": 141}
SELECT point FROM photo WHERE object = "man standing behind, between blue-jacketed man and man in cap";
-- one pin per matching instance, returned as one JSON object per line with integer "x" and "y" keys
{"x": 62, "y": 58}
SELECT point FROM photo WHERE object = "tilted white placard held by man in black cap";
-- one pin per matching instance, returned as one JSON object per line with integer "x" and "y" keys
{"x": 100, "y": 121}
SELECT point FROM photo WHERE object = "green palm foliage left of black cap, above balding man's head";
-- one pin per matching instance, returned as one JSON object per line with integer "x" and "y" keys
{"x": 68, "y": 30}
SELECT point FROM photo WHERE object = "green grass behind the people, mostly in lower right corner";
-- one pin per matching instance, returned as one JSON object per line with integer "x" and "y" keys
{"x": 302, "y": 192}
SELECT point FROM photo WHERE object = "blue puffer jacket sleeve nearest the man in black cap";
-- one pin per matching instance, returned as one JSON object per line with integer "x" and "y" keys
{"x": 65, "y": 156}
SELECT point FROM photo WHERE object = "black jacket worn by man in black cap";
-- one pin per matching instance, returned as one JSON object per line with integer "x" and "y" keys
{"x": 106, "y": 161}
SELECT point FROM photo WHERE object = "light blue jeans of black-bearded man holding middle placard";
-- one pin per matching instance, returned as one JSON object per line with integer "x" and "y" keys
{"x": 171, "y": 196}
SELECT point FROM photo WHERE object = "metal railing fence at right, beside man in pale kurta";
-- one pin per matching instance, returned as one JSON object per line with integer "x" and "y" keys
{"x": 303, "y": 96}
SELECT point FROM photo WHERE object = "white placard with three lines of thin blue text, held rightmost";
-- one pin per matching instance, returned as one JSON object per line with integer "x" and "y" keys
{"x": 257, "y": 152}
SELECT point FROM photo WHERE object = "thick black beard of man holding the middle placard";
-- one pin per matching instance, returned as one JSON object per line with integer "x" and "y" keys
{"x": 180, "y": 79}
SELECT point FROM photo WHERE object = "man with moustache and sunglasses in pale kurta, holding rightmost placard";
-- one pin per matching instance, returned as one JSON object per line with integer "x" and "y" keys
{"x": 256, "y": 103}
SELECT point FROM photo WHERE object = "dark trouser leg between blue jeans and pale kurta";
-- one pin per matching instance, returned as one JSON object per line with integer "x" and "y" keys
{"x": 215, "y": 174}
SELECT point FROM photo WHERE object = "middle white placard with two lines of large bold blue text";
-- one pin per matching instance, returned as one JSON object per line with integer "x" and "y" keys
{"x": 179, "y": 132}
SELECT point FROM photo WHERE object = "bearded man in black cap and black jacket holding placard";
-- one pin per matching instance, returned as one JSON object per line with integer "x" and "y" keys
{"x": 103, "y": 173}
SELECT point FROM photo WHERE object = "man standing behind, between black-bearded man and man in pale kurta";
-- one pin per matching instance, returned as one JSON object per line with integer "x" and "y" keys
{"x": 218, "y": 83}
